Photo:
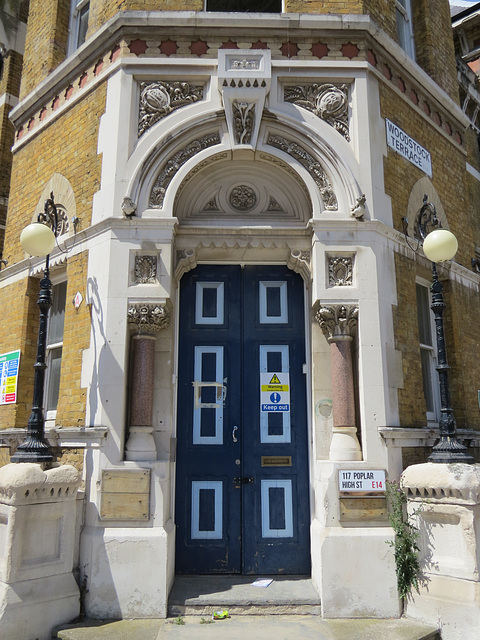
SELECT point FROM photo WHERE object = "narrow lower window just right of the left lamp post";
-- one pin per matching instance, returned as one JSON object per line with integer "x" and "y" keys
{"x": 54, "y": 348}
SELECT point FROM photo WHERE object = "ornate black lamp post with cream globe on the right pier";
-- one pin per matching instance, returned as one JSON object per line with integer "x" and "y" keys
{"x": 440, "y": 245}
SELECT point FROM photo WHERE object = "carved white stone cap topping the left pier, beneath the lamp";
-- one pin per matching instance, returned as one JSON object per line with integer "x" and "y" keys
{"x": 28, "y": 483}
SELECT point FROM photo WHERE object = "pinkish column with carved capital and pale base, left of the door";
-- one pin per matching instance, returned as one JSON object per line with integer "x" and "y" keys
{"x": 147, "y": 319}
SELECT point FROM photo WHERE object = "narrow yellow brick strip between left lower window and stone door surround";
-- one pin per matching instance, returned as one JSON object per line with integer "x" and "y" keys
{"x": 76, "y": 338}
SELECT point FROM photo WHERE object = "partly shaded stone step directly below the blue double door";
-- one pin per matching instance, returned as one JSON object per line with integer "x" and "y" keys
{"x": 285, "y": 595}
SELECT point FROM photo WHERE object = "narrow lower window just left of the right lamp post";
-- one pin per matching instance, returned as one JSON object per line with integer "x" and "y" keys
{"x": 428, "y": 354}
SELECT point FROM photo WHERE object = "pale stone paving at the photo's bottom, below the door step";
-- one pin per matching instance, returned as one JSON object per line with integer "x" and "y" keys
{"x": 248, "y": 627}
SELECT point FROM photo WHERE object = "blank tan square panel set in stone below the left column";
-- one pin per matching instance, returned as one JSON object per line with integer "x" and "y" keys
{"x": 125, "y": 494}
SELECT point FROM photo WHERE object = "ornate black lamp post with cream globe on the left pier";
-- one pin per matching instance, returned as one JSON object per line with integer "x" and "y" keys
{"x": 38, "y": 239}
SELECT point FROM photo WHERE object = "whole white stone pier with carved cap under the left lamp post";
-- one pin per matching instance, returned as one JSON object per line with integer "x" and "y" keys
{"x": 37, "y": 540}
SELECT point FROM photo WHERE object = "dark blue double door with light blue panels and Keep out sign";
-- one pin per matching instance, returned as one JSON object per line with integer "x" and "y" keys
{"x": 242, "y": 483}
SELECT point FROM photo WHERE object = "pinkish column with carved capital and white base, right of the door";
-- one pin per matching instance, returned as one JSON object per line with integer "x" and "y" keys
{"x": 338, "y": 322}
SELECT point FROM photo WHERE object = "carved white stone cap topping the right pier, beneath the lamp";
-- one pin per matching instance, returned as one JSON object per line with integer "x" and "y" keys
{"x": 453, "y": 483}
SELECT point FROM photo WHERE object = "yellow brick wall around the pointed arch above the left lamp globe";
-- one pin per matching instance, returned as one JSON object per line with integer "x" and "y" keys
{"x": 67, "y": 146}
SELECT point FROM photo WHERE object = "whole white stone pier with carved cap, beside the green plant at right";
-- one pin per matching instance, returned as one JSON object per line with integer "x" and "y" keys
{"x": 446, "y": 501}
